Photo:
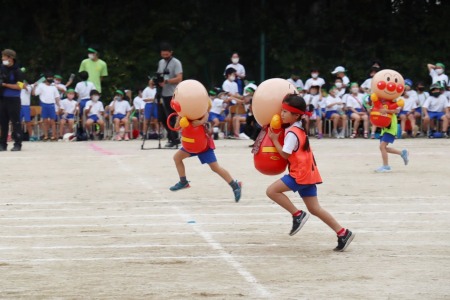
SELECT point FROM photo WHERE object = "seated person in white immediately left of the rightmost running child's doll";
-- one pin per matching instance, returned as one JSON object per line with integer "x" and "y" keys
{"x": 356, "y": 111}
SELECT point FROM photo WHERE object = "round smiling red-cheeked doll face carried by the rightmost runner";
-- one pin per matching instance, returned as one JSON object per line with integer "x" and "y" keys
{"x": 388, "y": 84}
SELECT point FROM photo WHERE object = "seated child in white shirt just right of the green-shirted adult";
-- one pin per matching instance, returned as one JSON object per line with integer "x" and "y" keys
{"x": 120, "y": 109}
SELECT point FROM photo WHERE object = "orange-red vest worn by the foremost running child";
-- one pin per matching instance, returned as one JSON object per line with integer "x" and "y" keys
{"x": 301, "y": 164}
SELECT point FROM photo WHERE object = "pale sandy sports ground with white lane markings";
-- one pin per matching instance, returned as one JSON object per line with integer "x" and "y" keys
{"x": 96, "y": 220}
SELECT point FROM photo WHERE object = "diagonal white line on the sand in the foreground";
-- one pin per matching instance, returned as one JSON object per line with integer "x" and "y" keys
{"x": 230, "y": 259}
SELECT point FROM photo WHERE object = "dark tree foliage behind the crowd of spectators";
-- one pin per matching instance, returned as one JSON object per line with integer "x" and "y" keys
{"x": 54, "y": 35}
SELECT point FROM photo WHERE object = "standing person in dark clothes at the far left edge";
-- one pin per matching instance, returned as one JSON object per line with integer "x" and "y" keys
{"x": 12, "y": 79}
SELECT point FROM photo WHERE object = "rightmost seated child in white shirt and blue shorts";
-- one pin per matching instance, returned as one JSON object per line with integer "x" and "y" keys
{"x": 435, "y": 108}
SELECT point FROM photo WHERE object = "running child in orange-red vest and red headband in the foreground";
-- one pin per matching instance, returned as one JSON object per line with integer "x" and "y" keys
{"x": 303, "y": 173}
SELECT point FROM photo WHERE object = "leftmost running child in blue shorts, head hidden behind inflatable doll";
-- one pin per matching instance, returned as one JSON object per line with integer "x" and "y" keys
{"x": 206, "y": 157}
